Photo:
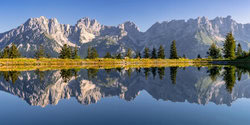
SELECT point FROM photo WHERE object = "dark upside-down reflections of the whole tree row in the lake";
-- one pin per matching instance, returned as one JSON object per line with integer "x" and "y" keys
{"x": 229, "y": 74}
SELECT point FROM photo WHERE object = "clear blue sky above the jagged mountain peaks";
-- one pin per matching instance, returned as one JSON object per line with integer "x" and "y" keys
{"x": 113, "y": 12}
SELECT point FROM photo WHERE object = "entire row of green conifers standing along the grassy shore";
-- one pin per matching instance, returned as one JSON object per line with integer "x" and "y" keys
{"x": 229, "y": 50}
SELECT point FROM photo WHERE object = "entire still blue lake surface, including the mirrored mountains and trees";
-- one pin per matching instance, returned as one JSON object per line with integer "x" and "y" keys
{"x": 147, "y": 96}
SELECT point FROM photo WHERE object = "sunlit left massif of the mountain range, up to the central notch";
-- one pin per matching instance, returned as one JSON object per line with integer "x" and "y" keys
{"x": 52, "y": 35}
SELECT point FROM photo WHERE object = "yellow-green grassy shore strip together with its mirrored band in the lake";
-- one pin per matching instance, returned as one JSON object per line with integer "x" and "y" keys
{"x": 22, "y": 64}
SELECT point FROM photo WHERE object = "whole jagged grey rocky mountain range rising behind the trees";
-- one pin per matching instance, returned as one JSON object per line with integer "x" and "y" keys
{"x": 193, "y": 36}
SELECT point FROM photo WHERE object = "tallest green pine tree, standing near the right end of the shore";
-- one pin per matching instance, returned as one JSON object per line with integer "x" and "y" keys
{"x": 229, "y": 46}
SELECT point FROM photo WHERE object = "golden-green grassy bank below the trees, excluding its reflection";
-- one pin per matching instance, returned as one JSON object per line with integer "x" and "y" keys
{"x": 98, "y": 61}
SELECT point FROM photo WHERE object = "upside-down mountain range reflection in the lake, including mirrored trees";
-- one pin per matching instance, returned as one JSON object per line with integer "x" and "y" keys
{"x": 220, "y": 85}
